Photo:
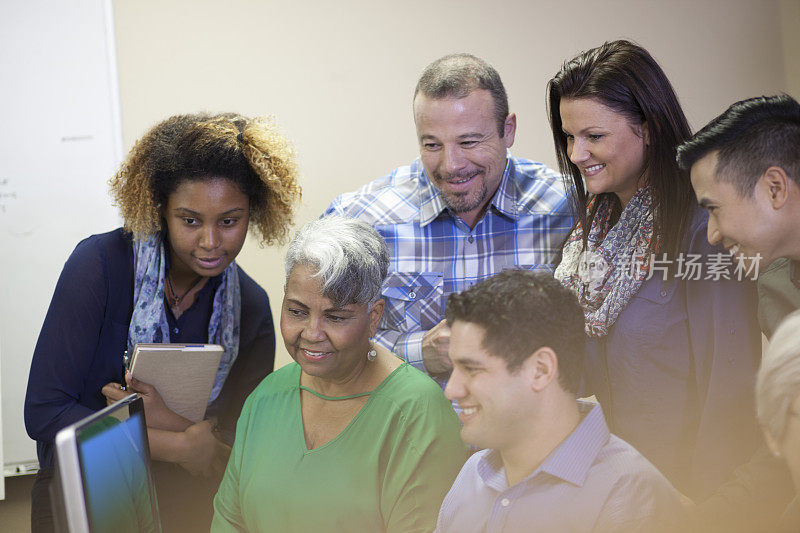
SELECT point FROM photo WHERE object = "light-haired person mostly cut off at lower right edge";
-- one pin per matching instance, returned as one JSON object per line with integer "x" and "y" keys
{"x": 778, "y": 405}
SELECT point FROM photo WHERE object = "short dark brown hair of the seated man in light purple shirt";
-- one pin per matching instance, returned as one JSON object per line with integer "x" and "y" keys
{"x": 522, "y": 311}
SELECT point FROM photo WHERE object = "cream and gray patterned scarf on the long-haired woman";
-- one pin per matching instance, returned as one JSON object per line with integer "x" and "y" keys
{"x": 615, "y": 263}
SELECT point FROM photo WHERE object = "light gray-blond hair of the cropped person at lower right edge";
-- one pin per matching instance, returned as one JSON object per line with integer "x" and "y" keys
{"x": 778, "y": 380}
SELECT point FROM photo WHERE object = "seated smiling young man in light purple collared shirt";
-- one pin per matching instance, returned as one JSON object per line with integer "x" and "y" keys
{"x": 549, "y": 463}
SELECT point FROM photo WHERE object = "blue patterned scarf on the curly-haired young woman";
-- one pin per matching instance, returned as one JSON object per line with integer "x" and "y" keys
{"x": 149, "y": 320}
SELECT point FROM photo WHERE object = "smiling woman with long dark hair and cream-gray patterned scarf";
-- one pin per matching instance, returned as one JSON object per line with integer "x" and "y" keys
{"x": 672, "y": 347}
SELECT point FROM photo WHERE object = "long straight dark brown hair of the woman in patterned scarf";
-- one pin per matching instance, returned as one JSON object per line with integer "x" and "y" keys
{"x": 624, "y": 77}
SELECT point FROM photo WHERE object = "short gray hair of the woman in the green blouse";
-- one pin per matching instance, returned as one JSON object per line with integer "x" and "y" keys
{"x": 348, "y": 256}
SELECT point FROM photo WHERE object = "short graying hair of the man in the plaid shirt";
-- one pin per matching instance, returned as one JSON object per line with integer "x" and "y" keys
{"x": 457, "y": 75}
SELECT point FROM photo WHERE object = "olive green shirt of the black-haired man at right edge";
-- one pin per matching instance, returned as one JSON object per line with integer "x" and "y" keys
{"x": 778, "y": 294}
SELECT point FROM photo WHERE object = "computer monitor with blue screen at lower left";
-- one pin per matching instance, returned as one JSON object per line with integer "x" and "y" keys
{"x": 104, "y": 472}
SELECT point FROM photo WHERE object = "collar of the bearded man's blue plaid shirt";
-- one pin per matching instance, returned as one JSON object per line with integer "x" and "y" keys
{"x": 432, "y": 205}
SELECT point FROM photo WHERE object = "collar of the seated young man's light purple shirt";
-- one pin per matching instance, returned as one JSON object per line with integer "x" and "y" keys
{"x": 570, "y": 461}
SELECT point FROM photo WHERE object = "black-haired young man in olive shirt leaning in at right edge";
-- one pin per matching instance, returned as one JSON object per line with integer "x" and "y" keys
{"x": 745, "y": 170}
